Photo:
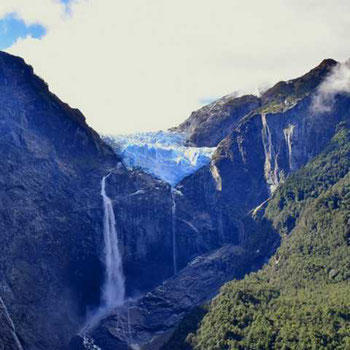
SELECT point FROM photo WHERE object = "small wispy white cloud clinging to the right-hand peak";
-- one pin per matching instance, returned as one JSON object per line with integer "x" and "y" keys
{"x": 338, "y": 82}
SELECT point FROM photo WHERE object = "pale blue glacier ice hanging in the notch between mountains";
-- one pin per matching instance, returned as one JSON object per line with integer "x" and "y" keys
{"x": 162, "y": 154}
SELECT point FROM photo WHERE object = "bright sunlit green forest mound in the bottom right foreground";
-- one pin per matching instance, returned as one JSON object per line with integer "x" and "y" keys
{"x": 252, "y": 314}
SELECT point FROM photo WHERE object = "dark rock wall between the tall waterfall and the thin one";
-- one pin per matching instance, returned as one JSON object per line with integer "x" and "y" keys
{"x": 143, "y": 210}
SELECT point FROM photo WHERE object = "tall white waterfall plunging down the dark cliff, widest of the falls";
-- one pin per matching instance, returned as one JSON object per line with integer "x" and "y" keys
{"x": 113, "y": 291}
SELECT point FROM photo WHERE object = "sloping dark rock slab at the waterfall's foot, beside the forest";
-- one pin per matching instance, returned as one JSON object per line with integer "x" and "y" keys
{"x": 150, "y": 321}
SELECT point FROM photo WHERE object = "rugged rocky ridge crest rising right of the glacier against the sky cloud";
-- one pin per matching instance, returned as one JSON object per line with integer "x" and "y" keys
{"x": 212, "y": 123}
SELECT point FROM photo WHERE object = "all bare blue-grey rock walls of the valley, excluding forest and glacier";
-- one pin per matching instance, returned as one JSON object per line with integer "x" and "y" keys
{"x": 51, "y": 209}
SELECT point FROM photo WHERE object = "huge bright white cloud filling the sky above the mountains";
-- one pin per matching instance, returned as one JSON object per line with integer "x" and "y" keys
{"x": 134, "y": 65}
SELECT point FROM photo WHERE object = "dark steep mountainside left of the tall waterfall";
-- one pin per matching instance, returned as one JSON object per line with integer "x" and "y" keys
{"x": 50, "y": 212}
